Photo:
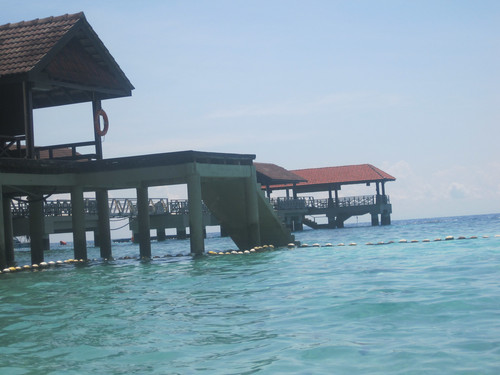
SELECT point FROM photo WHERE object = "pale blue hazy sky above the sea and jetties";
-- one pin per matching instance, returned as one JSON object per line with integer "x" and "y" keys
{"x": 411, "y": 87}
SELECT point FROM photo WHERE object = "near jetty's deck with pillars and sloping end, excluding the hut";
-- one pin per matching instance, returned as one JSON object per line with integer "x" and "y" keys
{"x": 225, "y": 182}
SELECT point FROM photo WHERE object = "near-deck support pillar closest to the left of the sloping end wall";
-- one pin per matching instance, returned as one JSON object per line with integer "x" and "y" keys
{"x": 195, "y": 214}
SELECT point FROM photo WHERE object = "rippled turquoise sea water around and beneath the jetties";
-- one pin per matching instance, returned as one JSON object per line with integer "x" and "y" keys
{"x": 400, "y": 308}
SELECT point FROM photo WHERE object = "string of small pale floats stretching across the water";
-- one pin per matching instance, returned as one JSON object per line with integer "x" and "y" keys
{"x": 257, "y": 249}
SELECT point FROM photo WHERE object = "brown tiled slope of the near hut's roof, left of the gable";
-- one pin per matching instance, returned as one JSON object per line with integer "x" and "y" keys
{"x": 24, "y": 44}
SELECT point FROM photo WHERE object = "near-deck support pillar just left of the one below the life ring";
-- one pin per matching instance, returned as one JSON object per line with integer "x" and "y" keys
{"x": 78, "y": 222}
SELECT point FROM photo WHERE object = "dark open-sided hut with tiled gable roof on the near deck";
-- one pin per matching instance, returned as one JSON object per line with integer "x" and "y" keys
{"x": 51, "y": 62}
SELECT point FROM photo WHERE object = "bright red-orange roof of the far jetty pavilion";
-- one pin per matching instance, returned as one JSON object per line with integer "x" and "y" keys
{"x": 322, "y": 179}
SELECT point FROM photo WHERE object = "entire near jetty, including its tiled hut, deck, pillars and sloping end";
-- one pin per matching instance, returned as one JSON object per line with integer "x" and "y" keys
{"x": 60, "y": 60}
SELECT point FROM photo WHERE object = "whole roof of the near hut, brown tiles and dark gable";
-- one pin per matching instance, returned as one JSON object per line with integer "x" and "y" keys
{"x": 63, "y": 58}
